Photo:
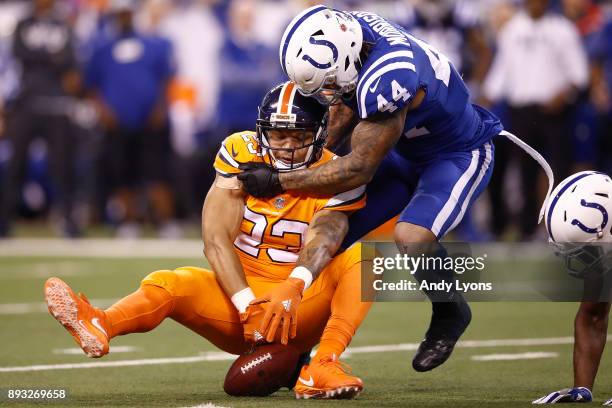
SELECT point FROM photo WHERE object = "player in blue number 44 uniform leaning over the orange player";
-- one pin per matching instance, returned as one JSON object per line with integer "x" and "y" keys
{"x": 419, "y": 142}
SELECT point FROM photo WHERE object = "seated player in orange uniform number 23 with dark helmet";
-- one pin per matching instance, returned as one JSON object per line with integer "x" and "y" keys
{"x": 276, "y": 274}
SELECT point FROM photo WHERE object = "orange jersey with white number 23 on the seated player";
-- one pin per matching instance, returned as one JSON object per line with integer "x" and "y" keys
{"x": 273, "y": 230}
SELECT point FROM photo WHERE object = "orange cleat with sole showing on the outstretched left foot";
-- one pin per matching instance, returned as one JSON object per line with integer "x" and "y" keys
{"x": 84, "y": 322}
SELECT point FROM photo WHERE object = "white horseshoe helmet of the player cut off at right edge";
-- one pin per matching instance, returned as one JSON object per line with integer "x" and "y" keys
{"x": 578, "y": 221}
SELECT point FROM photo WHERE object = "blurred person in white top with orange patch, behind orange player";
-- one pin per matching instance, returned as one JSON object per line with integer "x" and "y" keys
{"x": 194, "y": 92}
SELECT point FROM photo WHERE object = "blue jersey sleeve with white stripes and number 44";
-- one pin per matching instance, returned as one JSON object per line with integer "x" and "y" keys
{"x": 387, "y": 89}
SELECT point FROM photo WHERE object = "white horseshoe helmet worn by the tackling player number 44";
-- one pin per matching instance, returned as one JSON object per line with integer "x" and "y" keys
{"x": 320, "y": 50}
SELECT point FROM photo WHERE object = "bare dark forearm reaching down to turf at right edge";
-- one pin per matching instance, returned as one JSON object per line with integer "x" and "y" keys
{"x": 590, "y": 332}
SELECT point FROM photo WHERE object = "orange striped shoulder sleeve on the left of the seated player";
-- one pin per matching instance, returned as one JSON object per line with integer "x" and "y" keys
{"x": 235, "y": 150}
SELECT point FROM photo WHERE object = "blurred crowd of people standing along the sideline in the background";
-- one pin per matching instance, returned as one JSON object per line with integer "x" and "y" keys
{"x": 111, "y": 111}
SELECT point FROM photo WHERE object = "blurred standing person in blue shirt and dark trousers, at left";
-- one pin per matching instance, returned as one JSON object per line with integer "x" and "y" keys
{"x": 129, "y": 75}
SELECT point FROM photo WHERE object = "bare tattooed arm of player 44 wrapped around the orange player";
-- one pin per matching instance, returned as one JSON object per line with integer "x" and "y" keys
{"x": 370, "y": 142}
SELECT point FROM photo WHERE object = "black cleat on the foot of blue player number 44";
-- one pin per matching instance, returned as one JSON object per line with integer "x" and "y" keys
{"x": 440, "y": 339}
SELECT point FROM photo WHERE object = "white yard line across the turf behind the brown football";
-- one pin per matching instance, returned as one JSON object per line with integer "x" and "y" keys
{"x": 221, "y": 356}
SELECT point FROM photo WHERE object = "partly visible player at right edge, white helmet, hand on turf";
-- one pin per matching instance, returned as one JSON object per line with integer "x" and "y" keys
{"x": 583, "y": 199}
